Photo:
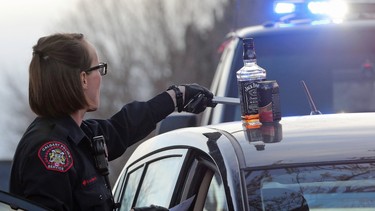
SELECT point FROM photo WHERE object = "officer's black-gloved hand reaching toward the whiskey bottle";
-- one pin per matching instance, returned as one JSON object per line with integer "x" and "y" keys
{"x": 197, "y": 98}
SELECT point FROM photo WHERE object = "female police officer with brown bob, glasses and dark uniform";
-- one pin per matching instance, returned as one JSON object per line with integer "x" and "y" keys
{"x": 61, "y": 160}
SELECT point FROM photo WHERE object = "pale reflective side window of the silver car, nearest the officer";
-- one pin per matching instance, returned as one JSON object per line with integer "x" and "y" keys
{"x": 151, "y": 181}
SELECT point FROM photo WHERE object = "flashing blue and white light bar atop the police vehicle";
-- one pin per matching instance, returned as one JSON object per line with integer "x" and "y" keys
{"x": 333, "y": 9}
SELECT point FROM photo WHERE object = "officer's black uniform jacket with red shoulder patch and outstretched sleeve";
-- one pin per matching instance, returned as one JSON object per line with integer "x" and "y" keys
{"x": 54, "y": 166}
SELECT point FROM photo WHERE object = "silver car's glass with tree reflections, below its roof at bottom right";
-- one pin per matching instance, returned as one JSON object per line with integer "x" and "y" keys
{"x": 325, "y": 187}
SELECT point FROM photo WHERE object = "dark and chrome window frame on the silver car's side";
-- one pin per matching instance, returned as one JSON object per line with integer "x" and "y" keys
{"x": 195, "y": 175}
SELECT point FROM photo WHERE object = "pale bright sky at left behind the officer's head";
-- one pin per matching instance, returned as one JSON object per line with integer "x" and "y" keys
{"x": 22, "y": 22}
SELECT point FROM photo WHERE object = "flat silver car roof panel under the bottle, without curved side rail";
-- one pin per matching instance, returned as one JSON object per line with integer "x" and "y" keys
{"x": 310, "y": 139}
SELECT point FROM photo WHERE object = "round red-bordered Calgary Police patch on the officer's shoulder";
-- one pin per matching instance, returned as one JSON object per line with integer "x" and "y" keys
{"x": 56, "y": 156}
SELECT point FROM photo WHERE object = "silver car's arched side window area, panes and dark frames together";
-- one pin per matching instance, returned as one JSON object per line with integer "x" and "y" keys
{"x": 169, "y": 177}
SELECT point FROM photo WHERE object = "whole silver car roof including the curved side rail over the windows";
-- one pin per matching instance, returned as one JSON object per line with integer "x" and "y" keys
{"x": 304, "y": 140}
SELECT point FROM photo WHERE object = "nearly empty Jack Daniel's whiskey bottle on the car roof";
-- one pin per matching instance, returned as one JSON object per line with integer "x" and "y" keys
{"x": 247, "y": 78}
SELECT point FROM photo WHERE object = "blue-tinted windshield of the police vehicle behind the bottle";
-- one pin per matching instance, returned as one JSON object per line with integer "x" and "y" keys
{"x": 336, "y": 63}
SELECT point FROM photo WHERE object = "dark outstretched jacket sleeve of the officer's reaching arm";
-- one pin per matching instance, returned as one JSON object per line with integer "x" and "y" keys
{"x": 132, "y": 123}
